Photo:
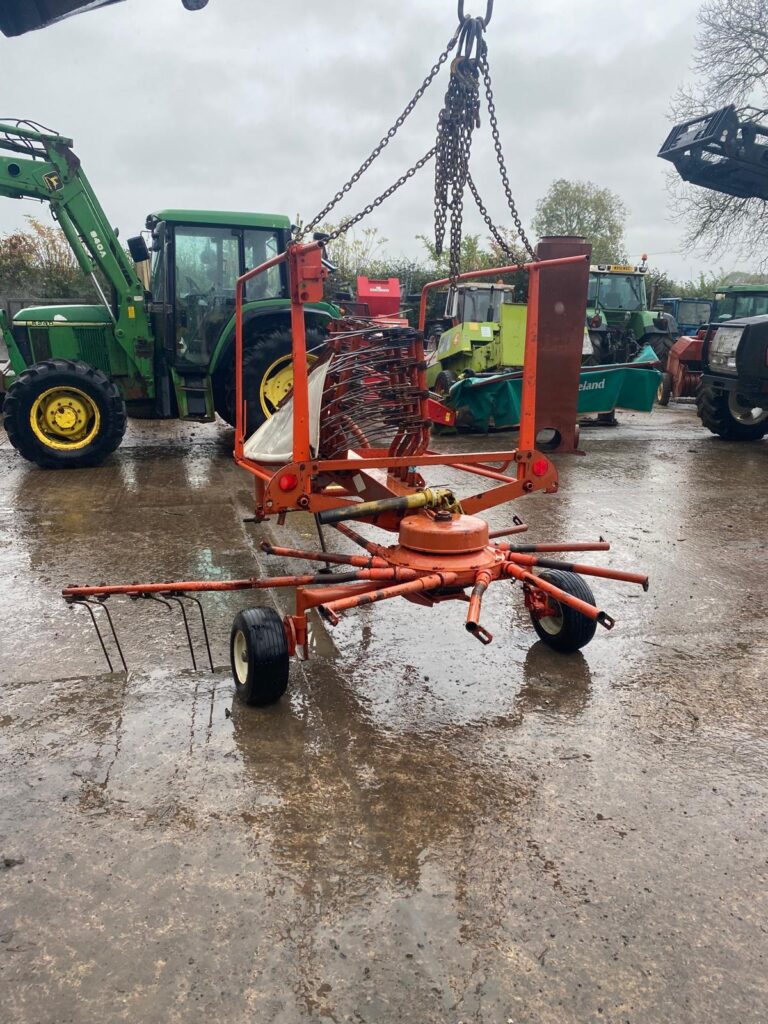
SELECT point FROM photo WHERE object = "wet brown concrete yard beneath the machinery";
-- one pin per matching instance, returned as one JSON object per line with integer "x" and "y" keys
{"x": 425, "y": 830}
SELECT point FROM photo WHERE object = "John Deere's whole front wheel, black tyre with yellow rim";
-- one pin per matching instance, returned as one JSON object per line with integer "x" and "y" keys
{"x": 65, "y": 415}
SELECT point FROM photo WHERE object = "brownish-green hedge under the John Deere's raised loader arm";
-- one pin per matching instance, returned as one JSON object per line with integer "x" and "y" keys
{"x": 39, "y": 264}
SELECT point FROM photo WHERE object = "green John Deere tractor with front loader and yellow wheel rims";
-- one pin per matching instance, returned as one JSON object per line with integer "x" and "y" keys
{"x": 161, "y": 345}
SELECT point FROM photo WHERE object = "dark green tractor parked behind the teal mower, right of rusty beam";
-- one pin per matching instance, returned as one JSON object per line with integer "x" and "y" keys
{"x": 619, "y": 320}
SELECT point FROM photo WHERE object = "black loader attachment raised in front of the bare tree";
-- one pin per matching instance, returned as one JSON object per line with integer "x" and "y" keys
{"x": 726, "y": 151}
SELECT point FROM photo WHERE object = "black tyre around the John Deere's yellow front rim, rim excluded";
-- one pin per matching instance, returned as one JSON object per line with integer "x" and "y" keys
{"x": 39, "y": 378}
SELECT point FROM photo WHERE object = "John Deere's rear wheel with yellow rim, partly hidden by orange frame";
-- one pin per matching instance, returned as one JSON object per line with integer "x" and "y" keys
{"x": 268, "y": 376}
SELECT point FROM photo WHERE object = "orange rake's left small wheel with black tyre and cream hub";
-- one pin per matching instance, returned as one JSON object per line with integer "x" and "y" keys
{"x": 261, "y": 660}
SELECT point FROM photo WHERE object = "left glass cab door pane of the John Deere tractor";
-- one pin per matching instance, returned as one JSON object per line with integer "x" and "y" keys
{"x": 207, "y": 262}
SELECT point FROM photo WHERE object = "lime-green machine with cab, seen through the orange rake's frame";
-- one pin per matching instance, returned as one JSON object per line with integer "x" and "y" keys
{"x": 488, "y": 333}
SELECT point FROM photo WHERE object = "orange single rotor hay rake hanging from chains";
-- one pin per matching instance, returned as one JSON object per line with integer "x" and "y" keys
{"x": 352, "y": 444}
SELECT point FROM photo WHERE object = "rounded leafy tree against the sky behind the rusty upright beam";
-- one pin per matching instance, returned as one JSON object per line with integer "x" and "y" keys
{"x": 583, "y": 208}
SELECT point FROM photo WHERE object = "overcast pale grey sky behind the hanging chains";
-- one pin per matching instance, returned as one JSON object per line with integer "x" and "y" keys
{"x": 270, "y": 107}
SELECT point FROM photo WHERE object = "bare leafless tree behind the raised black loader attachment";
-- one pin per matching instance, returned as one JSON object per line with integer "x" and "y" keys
{"x": 731, "y": 65}
